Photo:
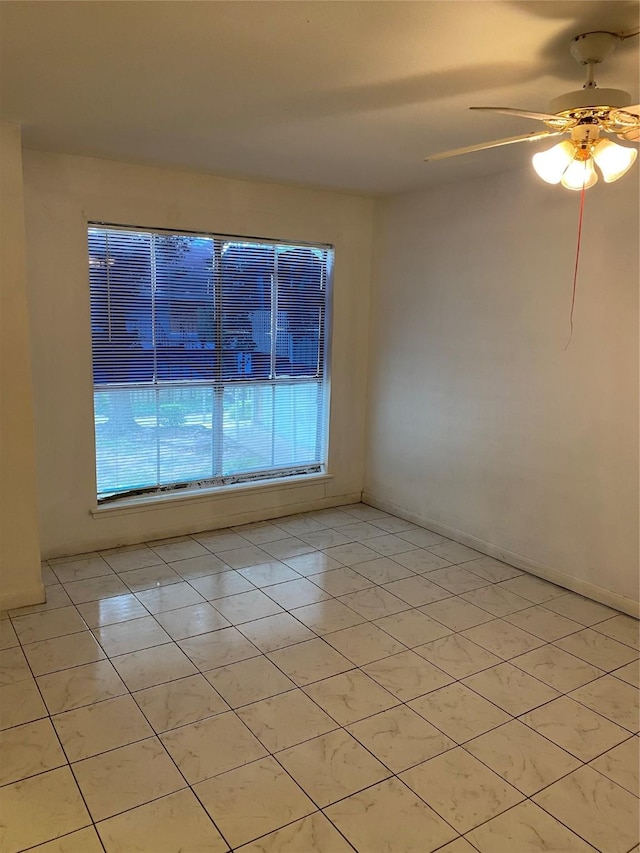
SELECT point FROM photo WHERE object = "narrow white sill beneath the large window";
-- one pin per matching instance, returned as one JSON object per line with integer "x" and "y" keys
{"x": 128, "y": 506}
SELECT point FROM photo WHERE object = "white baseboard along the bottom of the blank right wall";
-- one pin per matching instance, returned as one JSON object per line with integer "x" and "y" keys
{"x": 597, "y": 593}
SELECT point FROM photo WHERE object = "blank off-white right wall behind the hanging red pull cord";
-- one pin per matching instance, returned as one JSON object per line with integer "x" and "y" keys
{"x": 480, "y": 423}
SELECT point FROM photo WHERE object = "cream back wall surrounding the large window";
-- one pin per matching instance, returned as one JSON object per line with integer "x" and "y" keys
{"x": 62, "y": 193}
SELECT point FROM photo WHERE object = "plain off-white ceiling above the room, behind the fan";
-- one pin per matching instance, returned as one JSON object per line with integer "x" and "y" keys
{"x": 351, "y": 95}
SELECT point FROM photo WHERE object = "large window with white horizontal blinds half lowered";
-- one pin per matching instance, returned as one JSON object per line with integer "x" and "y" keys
{"x": 209, "y": 359}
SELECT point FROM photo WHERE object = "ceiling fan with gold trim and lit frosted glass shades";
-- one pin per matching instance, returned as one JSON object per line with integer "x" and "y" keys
{"x": 587, "y": 114}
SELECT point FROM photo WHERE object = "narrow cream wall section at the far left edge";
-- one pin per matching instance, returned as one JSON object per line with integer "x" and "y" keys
{"x": 20, "y": 576}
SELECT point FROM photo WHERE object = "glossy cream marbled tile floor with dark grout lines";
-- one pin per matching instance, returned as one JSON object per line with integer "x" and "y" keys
{"x": 341, "y": 680}
